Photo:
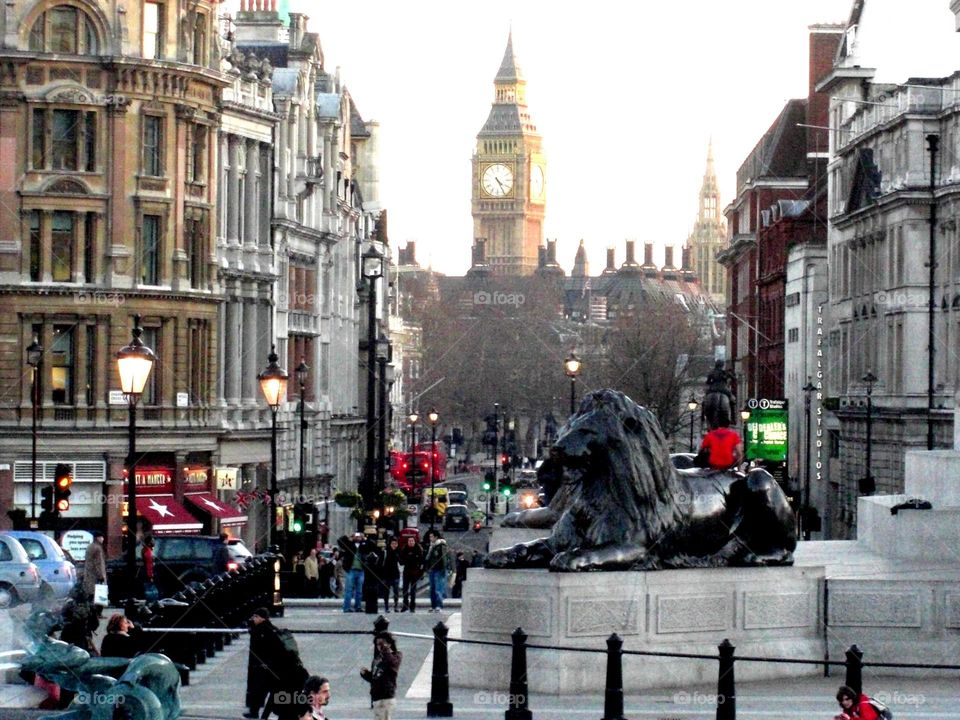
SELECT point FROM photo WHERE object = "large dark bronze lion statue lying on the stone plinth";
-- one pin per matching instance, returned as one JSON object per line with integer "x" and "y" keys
{"x": 617, "y": 503}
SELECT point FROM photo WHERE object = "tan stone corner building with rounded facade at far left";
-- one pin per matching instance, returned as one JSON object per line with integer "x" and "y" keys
{"x": 108, "y": 124}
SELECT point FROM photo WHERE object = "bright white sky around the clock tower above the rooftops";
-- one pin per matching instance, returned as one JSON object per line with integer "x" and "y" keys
{"x": 626, "y": 95}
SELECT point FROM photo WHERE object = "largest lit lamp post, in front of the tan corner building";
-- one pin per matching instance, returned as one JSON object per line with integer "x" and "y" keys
{"x": 134, "y": 363}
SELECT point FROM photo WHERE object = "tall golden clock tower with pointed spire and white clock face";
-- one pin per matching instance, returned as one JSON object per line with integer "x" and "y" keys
{"x": 509, "y": 177}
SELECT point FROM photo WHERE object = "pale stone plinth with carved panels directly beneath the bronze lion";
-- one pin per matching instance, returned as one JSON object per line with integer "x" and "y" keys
{"x": 773, "y": 612}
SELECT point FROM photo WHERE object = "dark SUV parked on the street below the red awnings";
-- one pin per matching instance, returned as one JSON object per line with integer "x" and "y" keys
{"x": 178, "y": 560}
